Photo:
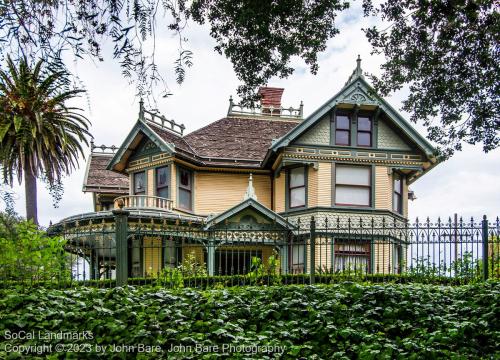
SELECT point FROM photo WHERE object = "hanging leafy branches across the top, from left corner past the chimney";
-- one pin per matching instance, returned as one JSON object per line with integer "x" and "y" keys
{"x": 259, "y": 37}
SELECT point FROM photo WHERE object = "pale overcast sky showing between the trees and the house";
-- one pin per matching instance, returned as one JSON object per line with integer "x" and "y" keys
{"x": 467, "y": 184}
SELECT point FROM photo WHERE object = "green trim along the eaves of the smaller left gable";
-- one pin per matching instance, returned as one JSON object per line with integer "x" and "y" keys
{"x": 129, "y": 146}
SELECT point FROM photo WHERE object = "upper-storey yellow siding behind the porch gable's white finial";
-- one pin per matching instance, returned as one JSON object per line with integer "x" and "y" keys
{"x": 217, "y": 192}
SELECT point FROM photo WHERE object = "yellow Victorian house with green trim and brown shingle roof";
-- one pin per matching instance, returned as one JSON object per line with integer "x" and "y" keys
{"x": 263, "y": 169}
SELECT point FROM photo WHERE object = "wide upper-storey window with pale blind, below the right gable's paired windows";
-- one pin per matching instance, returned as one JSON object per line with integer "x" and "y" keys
{"x": 352, "y": 185}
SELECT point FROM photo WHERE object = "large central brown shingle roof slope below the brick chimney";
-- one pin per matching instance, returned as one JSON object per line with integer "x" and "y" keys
{"x": 237, "y": 138}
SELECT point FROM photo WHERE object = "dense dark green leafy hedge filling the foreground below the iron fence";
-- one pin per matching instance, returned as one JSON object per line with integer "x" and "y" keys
{"x": 340, "y": 321}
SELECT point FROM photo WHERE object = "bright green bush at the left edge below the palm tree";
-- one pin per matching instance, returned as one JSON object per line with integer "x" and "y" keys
{"x": 28, "y": 255}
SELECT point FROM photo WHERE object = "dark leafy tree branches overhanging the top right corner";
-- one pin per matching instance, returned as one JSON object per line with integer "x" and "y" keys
{"x": 448, "y": 53}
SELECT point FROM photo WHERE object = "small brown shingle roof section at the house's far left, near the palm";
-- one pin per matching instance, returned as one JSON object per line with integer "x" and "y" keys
{"x": 98, "y": 179}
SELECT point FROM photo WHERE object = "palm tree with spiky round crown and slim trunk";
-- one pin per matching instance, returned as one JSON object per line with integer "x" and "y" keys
{"x": 40, "y": 136}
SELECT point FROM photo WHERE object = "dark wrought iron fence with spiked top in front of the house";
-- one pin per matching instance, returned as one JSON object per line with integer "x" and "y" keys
{"x": 118, "y": 249}
